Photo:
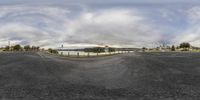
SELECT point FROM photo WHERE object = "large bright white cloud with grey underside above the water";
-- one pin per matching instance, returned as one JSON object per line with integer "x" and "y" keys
{"x": 115, "y": 26}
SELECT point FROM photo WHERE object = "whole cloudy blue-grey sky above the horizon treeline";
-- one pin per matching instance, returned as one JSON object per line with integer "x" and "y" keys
{"x": 83, "y": 23}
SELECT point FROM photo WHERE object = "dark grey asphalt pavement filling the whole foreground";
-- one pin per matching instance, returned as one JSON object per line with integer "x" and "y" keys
{"x": 134, "y": 76}
